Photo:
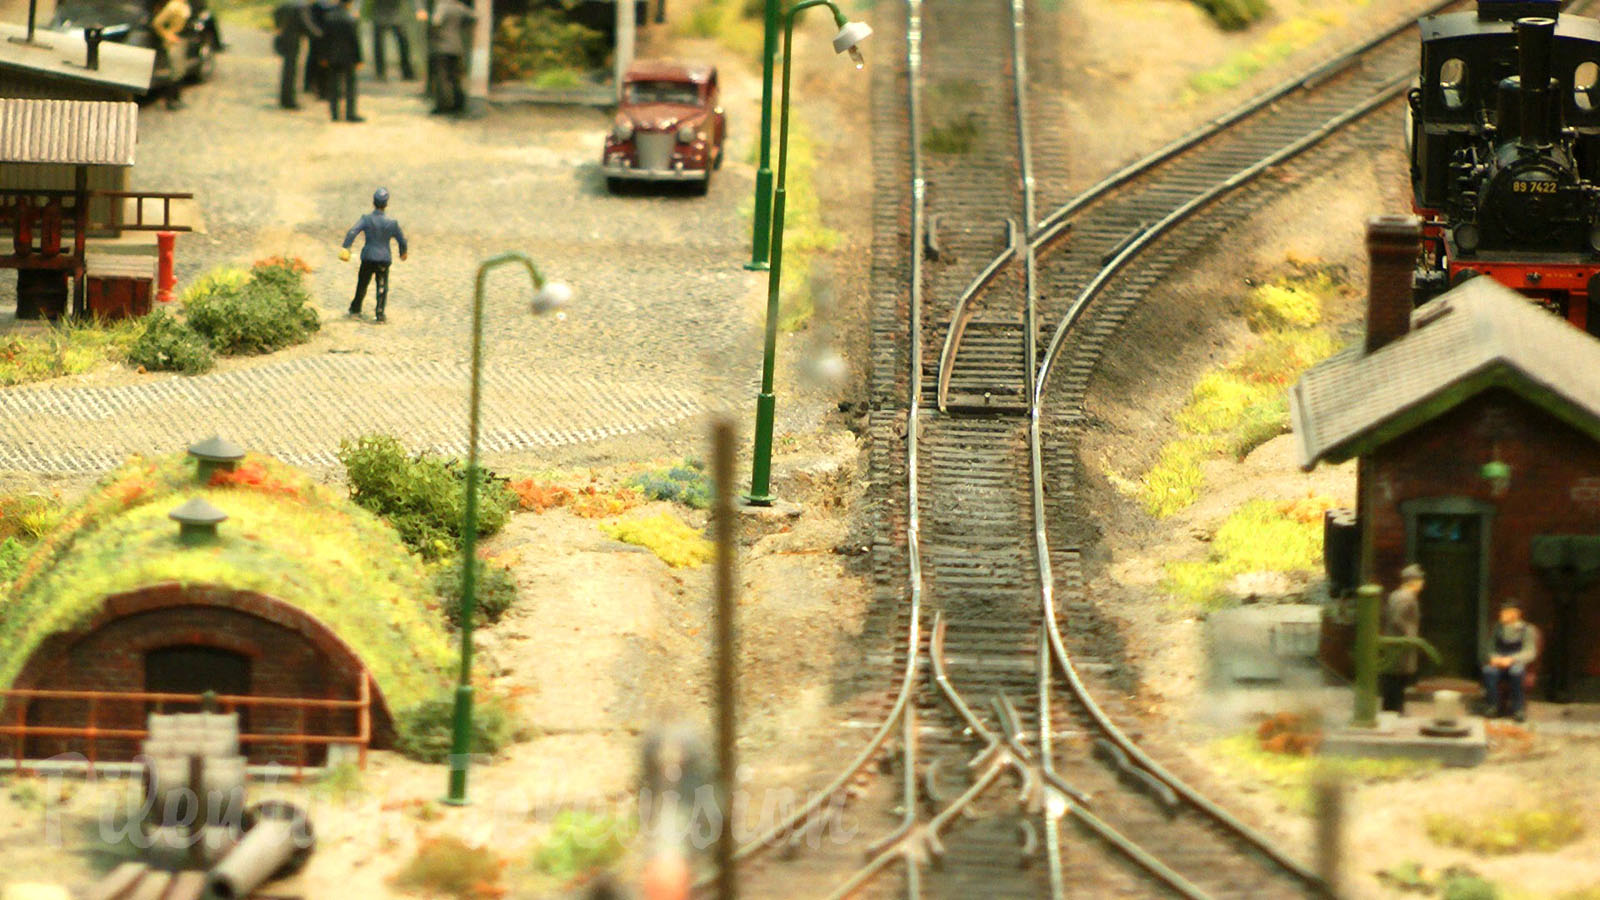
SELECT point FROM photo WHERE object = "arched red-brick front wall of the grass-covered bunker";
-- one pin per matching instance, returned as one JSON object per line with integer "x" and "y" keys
{"x": 287, "y": 653}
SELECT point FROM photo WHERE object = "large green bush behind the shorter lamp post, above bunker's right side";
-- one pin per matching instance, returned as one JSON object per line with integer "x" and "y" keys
{"x": 425, "y": 496}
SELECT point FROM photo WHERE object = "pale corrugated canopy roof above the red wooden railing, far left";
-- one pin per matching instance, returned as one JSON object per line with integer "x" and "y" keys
{"x": 68, "y": 132}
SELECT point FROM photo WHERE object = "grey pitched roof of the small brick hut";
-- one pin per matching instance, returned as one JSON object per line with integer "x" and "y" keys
{"x": 1479, "y": 335}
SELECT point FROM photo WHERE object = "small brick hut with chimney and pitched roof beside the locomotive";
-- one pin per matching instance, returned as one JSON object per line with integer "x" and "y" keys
{"x": 1476, "y": 422}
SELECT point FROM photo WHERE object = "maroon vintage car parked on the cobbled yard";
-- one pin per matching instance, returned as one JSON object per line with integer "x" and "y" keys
{"x": 670, "y": 126}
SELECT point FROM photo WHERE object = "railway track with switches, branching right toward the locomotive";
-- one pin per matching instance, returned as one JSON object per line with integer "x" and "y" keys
{"x": 1009, "y": 771}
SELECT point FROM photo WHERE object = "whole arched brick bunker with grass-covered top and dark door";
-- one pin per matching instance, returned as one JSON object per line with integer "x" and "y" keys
{"x": 303, "y": 606}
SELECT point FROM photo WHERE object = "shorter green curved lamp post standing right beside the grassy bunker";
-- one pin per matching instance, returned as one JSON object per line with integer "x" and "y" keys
{"x": 546, "y": 299}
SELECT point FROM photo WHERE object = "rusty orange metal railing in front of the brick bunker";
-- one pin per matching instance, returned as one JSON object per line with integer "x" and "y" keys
{"x": 92, "y": 733}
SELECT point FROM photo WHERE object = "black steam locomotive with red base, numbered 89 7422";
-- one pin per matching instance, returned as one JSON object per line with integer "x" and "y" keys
{"x": 1505, "y": 139}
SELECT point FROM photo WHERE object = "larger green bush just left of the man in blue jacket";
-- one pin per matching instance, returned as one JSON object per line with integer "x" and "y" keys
{"x": 268, "y": 311}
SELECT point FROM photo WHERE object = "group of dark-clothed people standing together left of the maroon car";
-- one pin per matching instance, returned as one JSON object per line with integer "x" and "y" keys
{"x": 335, "y": 50}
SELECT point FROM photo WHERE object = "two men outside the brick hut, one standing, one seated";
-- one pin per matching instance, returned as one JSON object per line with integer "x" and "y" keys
{"x": 1514, "y": 648}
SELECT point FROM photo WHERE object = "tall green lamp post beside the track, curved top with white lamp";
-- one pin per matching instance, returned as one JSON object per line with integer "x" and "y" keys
{"x": 847, "y": 41}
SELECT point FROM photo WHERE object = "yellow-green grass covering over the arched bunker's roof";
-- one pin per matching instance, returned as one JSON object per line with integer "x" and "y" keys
{"x": 286, "y": 537}
